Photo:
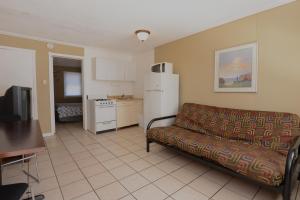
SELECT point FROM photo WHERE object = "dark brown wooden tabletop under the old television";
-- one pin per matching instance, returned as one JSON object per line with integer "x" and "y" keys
{"x": 20, "y": 138}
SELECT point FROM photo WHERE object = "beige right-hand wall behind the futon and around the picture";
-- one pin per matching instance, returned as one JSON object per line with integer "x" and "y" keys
{"x": 277, "y": 33}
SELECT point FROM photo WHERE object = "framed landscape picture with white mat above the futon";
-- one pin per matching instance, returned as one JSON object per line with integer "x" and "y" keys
{"x": 236, "y": 69}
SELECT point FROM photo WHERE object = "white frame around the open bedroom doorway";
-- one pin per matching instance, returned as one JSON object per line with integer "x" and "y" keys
{"x": 51, "y": 86}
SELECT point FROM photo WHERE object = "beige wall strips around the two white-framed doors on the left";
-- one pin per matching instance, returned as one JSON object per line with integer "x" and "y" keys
{"x": 42, "y": 70}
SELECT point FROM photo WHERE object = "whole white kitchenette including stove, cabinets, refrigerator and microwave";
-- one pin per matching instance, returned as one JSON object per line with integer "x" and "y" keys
{"x": 124, "y": 91}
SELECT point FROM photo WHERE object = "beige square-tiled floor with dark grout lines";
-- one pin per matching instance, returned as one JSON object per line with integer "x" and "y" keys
{"x": 82, "y": 166}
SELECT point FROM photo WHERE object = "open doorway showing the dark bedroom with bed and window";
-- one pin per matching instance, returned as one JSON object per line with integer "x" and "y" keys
{"x": 66, "y": 89}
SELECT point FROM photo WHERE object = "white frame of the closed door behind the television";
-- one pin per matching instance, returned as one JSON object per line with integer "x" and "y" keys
{"x": 34, "y": 102}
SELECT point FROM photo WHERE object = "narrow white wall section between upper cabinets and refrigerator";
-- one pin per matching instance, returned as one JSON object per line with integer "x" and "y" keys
{"x": 143, "y": 62}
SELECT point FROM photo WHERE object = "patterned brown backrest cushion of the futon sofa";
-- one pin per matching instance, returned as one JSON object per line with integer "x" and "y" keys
{"x": 273, "y": 130}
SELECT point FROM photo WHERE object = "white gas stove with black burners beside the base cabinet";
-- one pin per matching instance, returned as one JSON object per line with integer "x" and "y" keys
{"x": 102, "y": 115}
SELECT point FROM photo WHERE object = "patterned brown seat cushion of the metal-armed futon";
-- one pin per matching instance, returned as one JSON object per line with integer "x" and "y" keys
{"x": 251, "y": 160}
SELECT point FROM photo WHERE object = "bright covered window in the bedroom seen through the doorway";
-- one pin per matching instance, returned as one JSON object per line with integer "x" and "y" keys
{"x": 72, "y": 84}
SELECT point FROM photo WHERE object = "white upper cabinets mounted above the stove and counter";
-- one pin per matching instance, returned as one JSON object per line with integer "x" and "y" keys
{"x": 114, "y": 70}
